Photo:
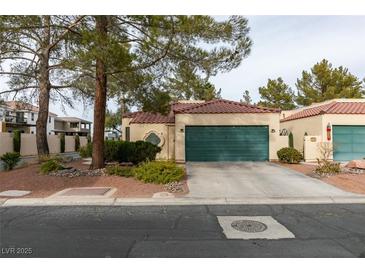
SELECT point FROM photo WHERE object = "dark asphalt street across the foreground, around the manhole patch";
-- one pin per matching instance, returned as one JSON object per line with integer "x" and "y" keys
{"x": 336, "y": 230}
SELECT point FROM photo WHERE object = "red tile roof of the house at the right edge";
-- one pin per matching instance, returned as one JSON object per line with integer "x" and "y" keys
{"x": 330, "y": 108}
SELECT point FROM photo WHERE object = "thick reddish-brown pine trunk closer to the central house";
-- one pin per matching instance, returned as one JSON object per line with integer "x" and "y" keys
{"x": 100, "y": 96}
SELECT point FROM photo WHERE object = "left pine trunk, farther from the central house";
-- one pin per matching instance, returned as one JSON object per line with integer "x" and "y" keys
{"x": 44, "y": 90}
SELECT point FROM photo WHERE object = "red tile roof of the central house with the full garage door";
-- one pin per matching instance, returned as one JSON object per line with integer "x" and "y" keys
{"x": 211, "y": 107}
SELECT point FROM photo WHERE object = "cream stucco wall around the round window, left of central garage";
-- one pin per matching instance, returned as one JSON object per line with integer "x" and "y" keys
{"x": 141, "y": 131}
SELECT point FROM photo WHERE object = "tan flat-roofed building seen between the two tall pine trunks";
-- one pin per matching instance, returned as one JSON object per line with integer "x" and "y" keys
{"x": 72, "y": 126}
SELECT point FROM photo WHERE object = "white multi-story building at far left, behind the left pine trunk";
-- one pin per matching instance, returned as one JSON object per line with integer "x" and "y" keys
{"x": 22, "y": 116}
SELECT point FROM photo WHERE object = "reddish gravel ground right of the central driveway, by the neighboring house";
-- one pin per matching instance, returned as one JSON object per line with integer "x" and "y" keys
{"x": 346, "y": 181}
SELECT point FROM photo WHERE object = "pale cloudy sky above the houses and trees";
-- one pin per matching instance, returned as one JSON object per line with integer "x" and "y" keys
{"x": 284, "y": 46}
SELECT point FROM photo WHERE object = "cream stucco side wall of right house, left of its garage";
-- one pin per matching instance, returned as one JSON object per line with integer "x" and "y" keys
{"x": 311, "y": 125}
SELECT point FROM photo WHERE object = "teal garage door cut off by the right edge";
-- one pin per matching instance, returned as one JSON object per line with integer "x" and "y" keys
{"x": 349, "y": 142}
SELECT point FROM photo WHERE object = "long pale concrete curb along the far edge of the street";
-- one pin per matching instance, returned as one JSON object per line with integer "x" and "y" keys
{"x": 177, "y": 201}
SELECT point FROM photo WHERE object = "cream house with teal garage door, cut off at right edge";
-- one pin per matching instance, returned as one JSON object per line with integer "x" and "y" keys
{"x": 340, "y": 122}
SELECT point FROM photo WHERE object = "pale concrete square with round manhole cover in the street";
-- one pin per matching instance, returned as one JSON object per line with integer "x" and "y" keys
{"x": 253, "y": 227}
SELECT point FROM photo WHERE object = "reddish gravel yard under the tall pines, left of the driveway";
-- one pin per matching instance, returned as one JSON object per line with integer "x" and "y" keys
{"x": 28, "y": 178}
